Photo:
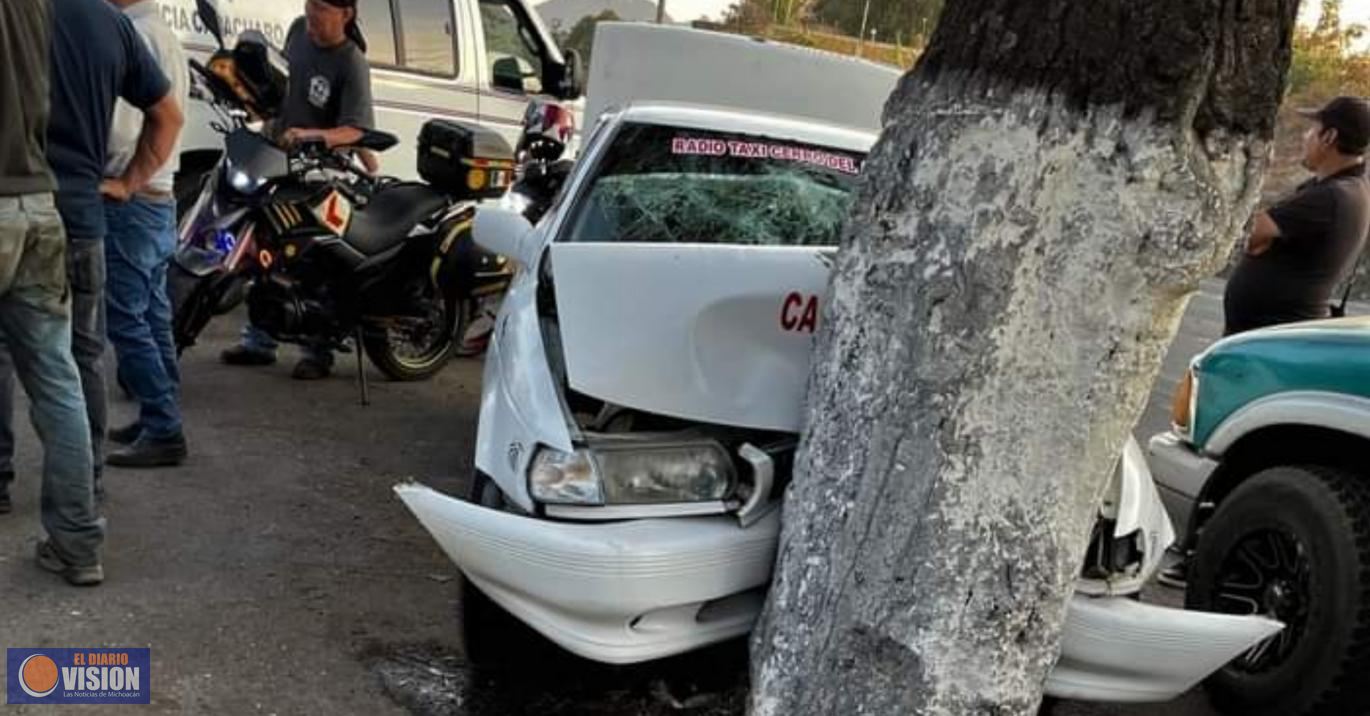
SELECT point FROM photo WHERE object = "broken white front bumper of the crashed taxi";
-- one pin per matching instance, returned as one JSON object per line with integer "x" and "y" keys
{"x": 649, "y": 589}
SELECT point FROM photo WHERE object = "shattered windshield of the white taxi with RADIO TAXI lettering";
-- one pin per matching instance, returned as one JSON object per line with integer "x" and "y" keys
{"x": 672, "y": 186}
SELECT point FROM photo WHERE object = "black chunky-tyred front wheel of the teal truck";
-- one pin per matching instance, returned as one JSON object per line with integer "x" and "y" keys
{"x": 1293, "y": 544}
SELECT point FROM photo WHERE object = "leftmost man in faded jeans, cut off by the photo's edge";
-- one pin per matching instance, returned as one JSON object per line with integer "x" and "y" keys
{"x": 36, "y": 302}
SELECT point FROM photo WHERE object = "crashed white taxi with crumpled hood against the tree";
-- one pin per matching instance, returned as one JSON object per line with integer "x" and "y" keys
{"x": 643, "y": 396}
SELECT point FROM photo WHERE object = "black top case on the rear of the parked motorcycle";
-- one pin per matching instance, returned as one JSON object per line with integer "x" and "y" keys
{"x": 465, "y": 161}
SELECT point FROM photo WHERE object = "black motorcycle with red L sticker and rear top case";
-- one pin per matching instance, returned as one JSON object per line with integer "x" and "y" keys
{"x": 325, "y": 255}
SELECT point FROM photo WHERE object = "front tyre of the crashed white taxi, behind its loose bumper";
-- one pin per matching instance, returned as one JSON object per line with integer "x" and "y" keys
{"x": 493, "y": 639}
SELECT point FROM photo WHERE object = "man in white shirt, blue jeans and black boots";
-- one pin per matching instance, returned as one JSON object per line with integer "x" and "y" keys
{"x": 139, "y": 247}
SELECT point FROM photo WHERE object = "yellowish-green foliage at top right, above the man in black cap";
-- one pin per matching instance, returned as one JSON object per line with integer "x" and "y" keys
{"x": 1325, "y": 64}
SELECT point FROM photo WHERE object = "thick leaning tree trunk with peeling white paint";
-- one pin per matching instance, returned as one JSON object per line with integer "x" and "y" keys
{"x": 1056, "y": 179}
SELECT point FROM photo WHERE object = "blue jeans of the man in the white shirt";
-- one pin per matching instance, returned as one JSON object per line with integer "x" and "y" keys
{"x": 138, "y": 250}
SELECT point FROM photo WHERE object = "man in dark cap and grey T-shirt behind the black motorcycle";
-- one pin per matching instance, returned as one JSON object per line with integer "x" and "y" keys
{"x": 329, "y": 99}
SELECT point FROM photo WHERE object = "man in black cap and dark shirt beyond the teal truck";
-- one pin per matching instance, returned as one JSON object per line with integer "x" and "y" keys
{"x": 1304, "y": 247}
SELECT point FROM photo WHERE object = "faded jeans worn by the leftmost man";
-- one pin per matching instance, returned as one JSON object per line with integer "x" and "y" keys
{"x": 38, "y": 332}
